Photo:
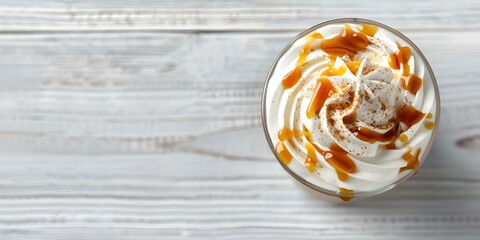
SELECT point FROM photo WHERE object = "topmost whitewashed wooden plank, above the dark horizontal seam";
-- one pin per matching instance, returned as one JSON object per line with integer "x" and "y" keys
{"x": 230, "y": 15}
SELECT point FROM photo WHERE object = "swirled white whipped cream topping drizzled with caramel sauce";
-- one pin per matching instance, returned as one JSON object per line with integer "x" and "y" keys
{"x": 350, "y": 108}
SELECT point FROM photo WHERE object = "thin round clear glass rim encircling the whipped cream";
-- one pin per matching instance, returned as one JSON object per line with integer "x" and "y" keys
{"x": 354, "y": 21}
